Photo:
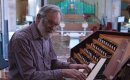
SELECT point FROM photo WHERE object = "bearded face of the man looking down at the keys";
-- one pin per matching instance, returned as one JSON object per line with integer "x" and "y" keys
{"x": 52, "y": 22}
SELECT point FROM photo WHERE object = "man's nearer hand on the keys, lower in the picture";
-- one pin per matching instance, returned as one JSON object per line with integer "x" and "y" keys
{"x": 73, "y": 73}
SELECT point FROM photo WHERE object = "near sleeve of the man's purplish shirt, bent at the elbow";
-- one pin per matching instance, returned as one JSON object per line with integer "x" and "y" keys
{"x": 24, "y": 61}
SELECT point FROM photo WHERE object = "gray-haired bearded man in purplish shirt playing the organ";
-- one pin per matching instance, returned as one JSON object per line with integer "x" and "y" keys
{"x": 31, "y": 55}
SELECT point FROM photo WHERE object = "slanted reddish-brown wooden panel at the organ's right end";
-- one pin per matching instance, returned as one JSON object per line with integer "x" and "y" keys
{"x": 112, "y": 68}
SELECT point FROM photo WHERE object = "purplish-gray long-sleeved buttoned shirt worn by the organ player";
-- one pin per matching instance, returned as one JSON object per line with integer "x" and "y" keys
{"x": 32, "y": 57}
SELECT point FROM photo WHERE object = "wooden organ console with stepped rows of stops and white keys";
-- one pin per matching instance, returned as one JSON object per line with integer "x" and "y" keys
{"x": 104, "y": 52}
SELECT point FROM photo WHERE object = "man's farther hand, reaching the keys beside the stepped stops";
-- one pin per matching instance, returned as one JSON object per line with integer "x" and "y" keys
{"x": 80, "y": 66}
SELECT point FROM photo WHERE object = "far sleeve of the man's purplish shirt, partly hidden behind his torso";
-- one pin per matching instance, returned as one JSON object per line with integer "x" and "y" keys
{"x": 56, "y": 64}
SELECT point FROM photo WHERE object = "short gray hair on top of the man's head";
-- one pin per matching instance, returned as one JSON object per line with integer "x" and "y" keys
{"x": 44, "y": 10}
